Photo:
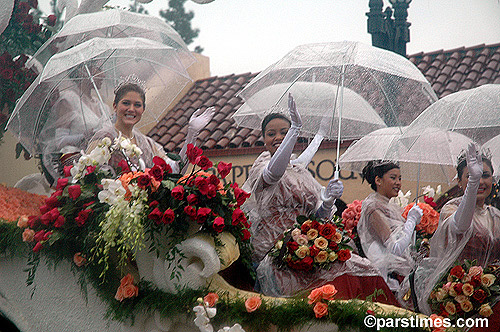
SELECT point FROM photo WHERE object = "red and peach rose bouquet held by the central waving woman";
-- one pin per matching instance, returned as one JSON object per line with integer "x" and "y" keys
{"x": 312, "y": 243}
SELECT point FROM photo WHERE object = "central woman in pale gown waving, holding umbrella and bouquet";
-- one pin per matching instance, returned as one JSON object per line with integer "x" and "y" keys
{"x": 281, "y": 190}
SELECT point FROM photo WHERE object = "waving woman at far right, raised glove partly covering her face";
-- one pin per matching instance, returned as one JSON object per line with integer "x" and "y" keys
{"x": 468, "y": 229}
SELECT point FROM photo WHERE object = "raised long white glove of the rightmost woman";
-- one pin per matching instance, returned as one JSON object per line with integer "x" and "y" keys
{"x": 463, "y": 216}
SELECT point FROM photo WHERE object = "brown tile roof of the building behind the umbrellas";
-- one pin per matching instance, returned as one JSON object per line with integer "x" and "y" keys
{"x": 447, "y": 71}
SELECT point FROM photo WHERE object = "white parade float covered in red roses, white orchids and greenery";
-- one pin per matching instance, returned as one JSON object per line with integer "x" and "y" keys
{"x": 140, "y": 250}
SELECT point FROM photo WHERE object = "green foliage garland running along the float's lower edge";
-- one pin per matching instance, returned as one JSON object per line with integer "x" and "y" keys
{"x": 284, "y": 315}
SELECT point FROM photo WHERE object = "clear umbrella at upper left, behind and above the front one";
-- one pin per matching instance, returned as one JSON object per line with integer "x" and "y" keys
{"x": 113, "y": 23}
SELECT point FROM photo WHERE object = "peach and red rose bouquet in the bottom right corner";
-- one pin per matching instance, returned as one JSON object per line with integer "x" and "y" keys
{"x": 466, "y": 290}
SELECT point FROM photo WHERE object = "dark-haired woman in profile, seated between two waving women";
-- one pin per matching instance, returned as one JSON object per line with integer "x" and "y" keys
{"x": 384, "y": 234}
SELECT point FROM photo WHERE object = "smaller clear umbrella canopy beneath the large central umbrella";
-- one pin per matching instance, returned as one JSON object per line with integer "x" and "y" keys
{"x": 359, "y": 115}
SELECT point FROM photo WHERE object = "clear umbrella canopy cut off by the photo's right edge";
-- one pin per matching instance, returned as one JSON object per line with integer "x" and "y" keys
{"x": 473, "y": 112}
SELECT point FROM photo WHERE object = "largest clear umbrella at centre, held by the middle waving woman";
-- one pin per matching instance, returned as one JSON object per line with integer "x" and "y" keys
{"x": 388, "y": 82}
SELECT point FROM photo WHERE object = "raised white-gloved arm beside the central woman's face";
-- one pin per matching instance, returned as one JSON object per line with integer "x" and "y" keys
{"x": 279, "y": 161}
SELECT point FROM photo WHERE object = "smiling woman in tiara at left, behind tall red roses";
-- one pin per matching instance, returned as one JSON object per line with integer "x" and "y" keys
{"x": 129, "y": 104}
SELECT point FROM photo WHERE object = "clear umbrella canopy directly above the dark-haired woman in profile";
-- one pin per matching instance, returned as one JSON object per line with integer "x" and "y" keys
{"x": 432, "y": 158}
